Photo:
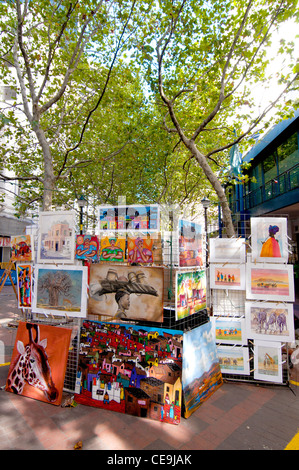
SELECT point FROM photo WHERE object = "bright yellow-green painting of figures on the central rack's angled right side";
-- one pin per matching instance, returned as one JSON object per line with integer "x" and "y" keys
{"x": 190, "y": 293}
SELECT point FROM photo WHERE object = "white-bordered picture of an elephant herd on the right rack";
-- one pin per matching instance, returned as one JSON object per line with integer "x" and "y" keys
{"x": 270, "y": 321}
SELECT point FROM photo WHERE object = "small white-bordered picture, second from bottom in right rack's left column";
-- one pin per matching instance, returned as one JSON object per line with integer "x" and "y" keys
{"x": 228, "y": 330}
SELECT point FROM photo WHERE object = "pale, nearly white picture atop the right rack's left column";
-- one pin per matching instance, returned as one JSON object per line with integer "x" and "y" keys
{"x": 227, "y": 250}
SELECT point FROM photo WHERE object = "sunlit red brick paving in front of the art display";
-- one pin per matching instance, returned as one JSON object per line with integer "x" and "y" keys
{"x": 238, "y": 416}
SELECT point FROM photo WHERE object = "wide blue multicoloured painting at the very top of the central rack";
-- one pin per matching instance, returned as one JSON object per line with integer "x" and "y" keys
{"x": 125, "y": 218}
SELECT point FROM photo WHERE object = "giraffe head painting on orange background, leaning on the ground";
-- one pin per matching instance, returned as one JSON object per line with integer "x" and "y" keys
{"x": 38, "y": 362}
